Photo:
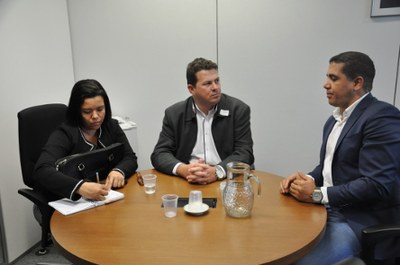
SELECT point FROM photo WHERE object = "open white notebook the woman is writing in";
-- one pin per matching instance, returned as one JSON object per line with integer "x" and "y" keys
{"x": 67, "y": 207}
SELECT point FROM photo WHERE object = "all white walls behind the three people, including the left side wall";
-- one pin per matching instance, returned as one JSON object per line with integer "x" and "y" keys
{"x": 273, "y": 56}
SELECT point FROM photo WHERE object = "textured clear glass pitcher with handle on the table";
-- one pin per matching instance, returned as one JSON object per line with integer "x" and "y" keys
{"x": 238, "y": 195}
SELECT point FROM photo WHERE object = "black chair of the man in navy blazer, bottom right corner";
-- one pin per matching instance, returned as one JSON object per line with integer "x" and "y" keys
{"x": 372, "y": 235}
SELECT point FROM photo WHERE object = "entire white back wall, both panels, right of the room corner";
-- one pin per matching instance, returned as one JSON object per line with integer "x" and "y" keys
{"x": 272, "y": 56}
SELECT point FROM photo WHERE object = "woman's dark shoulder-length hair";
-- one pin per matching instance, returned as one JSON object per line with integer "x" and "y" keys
{"x": 88, "y": 88}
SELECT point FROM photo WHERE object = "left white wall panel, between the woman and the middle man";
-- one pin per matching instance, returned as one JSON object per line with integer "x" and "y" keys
{"x": 139, "y": 51}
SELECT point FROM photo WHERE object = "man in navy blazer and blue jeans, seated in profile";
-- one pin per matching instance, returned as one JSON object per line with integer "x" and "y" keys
{"x": 358, "y": 177}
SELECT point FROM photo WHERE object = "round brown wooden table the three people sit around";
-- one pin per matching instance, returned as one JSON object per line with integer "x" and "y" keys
{"x": 135, "y": 231}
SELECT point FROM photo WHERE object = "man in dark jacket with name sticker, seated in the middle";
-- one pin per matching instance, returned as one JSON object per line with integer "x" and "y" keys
{"x": 202, "y": 134}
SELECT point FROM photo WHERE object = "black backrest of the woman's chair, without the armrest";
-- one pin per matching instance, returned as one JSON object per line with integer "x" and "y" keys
{"x": 35, "y": 124}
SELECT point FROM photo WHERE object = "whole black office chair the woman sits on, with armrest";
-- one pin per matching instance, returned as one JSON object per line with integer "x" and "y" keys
{"x": 35, "y": 124}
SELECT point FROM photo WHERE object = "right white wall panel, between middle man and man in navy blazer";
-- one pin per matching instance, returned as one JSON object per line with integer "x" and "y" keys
{"x": 275, "y": 57}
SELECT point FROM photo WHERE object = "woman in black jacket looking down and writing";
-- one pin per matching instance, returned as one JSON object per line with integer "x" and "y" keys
{"x": 88, "y": 126}
